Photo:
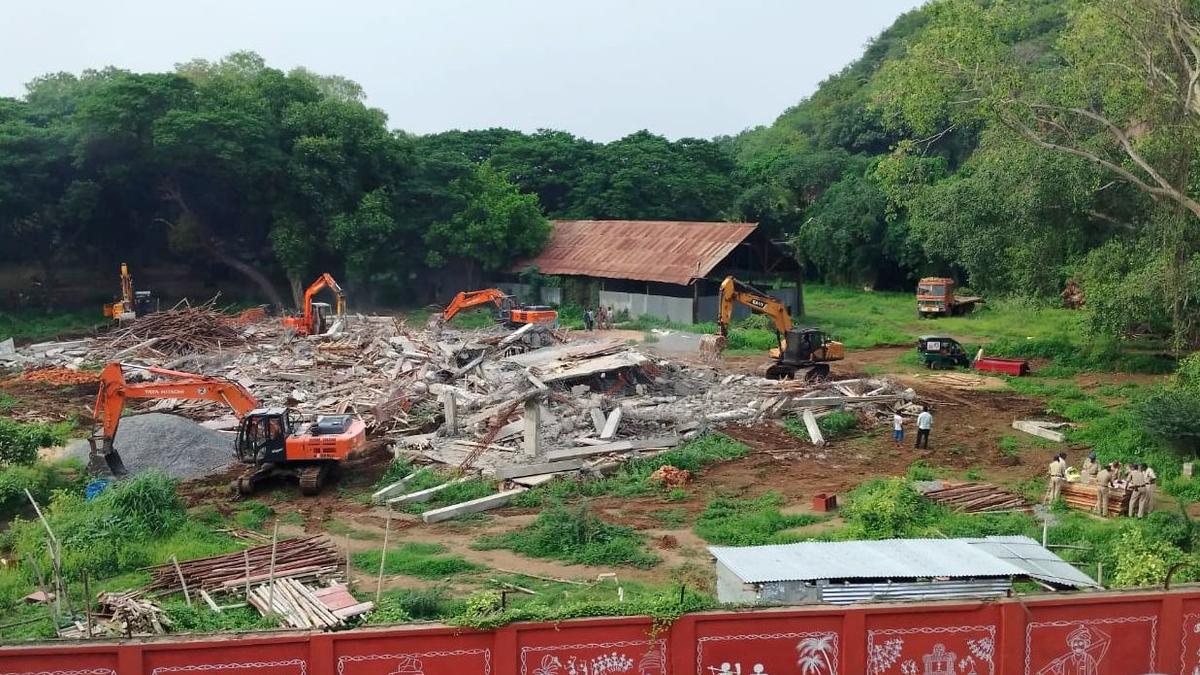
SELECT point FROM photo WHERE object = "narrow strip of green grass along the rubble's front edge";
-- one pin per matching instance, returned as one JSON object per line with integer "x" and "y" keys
{"x": 633, "y": 479}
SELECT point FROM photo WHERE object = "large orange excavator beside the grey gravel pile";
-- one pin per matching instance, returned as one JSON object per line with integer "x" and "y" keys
{"x": 274, "y": 441}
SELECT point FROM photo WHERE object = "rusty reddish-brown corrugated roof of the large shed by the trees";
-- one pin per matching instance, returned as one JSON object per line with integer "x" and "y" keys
{"x": 645, "y": 250}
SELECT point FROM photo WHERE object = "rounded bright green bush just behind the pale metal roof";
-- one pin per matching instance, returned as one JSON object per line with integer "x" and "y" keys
{"x": 886, "y": 510}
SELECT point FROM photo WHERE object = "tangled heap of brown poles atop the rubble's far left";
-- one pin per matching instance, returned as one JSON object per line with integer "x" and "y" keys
{"x": 173, "y": 333}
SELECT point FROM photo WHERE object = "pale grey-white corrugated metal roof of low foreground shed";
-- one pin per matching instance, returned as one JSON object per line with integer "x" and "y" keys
{"x": 890, "y": 559}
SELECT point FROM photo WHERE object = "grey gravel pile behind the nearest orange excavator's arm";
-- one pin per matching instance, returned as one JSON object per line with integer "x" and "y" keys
{"x": 173, "y": 445}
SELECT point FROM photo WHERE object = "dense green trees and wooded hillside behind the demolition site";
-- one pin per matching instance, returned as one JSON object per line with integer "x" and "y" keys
{"x": 1012, "y": 144}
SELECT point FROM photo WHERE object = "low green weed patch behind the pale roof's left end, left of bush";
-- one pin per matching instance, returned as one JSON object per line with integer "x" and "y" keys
{"x": 746, "y": 523}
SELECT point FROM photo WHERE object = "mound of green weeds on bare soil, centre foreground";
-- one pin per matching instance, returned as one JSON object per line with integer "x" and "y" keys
{"x": 575, "y": 535}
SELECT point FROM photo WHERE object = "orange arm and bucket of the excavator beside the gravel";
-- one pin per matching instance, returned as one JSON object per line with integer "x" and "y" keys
{"x": 115, "y": 392}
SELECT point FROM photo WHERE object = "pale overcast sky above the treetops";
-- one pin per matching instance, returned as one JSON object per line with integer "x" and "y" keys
{"x": 601, "y": 69}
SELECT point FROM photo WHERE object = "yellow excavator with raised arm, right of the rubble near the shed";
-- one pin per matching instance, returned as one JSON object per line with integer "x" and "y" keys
{"x": 803, "y": 353}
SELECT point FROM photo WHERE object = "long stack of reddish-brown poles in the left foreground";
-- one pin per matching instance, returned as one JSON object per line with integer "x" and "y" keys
{"x": 310, "y": 558}
